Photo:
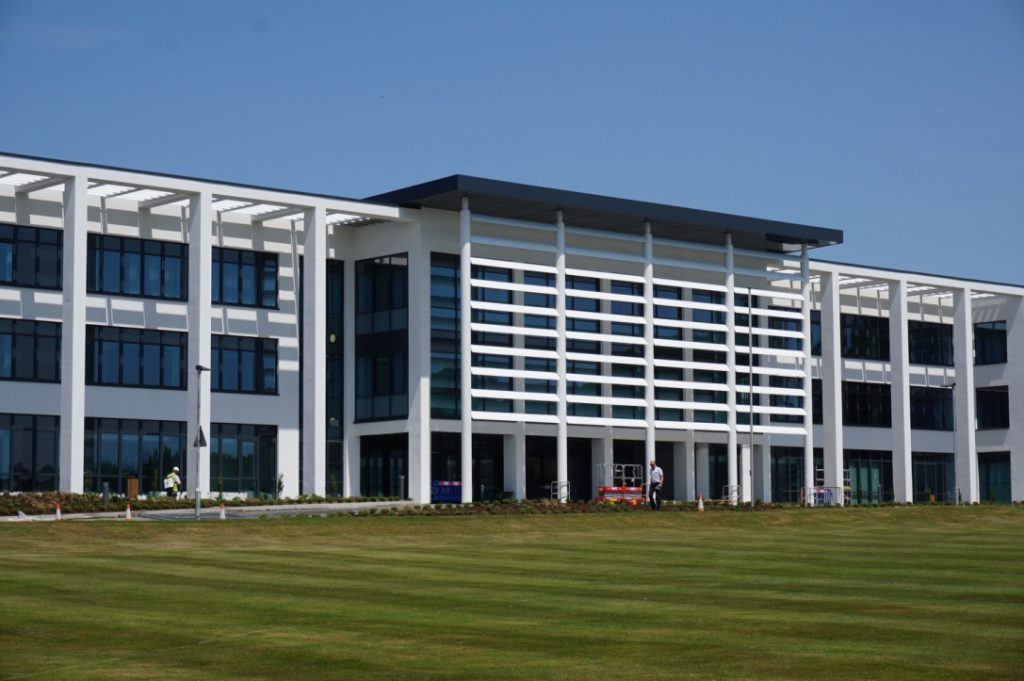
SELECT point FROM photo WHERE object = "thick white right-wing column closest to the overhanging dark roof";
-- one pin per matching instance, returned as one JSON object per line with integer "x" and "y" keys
{"x": 832, "y": 381}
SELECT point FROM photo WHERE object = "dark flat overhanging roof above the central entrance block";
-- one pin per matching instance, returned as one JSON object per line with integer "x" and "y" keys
{"x": 526, "y": 202}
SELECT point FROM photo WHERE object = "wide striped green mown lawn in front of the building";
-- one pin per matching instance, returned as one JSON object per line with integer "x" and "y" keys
{"x": 866, "y": 593}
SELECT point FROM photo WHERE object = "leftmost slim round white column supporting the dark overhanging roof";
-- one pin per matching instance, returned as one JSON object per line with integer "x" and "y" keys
{"x": 466, "y": 352}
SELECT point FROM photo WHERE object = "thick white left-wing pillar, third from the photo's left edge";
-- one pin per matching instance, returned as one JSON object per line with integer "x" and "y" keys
{"x": 314, "y": 353}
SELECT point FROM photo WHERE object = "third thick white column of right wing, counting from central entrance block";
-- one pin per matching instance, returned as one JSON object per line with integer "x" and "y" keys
{"x": 964, "y": 400}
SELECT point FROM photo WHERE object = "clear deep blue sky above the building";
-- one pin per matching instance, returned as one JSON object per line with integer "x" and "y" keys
{"x": 902, "y": 123}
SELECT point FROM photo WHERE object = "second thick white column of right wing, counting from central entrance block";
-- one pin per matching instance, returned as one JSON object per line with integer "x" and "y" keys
{"x": 900, "y": 357}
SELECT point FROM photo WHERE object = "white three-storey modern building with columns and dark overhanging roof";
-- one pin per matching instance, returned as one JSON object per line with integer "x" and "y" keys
{"x": 513, "y": 339}
